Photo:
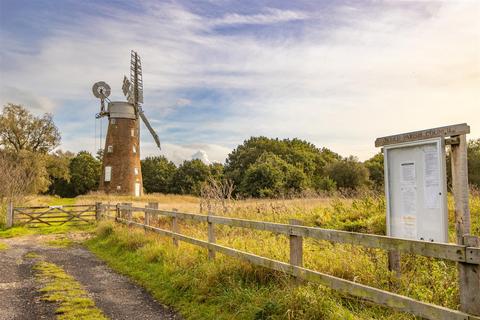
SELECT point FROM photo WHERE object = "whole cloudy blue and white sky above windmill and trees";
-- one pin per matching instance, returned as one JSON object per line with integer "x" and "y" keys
{"x": 338, "y": 74}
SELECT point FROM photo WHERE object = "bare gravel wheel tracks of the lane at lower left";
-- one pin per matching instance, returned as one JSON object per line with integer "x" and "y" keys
{"x": 114, "y": 294}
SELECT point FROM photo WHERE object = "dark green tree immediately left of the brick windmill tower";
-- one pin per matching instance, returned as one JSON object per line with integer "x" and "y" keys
{"x": 84, "y": 173}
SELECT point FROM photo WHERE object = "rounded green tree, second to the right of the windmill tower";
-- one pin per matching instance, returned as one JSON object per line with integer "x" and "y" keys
{"x": 190, "y": 176}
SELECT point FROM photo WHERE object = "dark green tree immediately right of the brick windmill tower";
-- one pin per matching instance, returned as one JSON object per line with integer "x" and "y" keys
{"x": 157, "y": 173}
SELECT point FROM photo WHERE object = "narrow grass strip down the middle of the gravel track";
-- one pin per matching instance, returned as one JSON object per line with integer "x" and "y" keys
{"x": 59, "y": 287}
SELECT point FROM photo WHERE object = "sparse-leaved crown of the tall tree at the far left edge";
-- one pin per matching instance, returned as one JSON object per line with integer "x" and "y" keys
{"x": 20, "y": 130}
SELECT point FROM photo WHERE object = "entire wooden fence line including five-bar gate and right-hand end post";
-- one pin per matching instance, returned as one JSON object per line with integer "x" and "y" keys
{"x": 466, "y": 254}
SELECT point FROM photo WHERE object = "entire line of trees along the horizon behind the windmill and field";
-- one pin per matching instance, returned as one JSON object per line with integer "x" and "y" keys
{"x": 259, "y": 167}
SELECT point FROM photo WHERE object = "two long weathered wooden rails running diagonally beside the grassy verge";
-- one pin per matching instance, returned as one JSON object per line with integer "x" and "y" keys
{"x": 452, "y": 252}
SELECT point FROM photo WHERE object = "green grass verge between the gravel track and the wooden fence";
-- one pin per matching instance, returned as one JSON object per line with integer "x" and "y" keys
{"x": 224, "y": 289}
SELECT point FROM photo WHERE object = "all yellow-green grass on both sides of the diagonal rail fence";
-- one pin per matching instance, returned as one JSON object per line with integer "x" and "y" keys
{"x": 230, "y": 289}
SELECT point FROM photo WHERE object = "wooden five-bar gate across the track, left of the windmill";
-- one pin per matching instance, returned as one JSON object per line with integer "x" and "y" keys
{"x": 51, "y": 215}
